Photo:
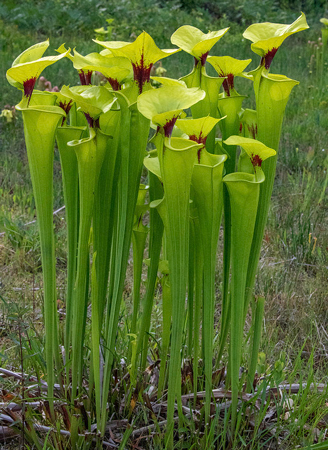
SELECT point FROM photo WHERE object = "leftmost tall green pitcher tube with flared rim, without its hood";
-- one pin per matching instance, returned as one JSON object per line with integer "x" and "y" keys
{"x": 40, "y": 124}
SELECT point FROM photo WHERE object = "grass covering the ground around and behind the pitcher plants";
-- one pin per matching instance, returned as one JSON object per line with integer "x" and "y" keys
{"x": 293, "y": 274}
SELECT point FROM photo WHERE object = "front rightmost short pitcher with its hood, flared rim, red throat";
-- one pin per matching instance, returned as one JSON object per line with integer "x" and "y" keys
{"x": 244, "y": 191}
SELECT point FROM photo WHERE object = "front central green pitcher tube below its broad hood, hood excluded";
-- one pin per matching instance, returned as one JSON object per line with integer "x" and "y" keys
{"x": 177, "y": 157}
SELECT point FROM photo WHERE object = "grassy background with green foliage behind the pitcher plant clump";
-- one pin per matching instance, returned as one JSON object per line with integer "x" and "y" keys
{"x": 293, "y": 272}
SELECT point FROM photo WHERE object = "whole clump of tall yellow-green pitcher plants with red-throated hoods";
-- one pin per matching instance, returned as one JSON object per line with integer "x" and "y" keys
{"x": 194, "y": 178}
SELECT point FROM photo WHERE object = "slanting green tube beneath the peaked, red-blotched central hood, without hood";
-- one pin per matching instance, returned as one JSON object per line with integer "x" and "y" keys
{"x": 132, "y": 147}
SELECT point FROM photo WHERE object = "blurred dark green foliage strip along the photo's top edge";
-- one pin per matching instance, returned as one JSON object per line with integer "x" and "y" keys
{"x": 160, "y": 18}
